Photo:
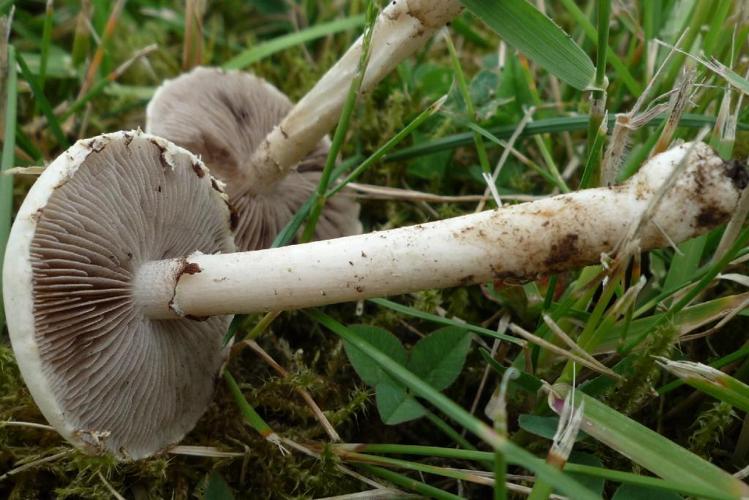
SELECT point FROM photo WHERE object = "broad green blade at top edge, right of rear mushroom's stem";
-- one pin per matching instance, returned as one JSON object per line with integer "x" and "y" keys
{"x": 527, "y": 29}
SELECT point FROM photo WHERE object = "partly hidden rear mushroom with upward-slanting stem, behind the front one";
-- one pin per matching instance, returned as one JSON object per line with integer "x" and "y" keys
{"x": 215, "y": 114}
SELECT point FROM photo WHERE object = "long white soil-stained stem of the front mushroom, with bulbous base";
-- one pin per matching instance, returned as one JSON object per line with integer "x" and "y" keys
{"x": 517, "y": 242}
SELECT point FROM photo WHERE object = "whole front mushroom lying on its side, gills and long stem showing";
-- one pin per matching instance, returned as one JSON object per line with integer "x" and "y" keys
{"x": 118, "y": 286}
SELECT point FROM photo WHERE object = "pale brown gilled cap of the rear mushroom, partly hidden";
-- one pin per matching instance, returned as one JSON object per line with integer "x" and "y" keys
{"x": 223, "y": 116}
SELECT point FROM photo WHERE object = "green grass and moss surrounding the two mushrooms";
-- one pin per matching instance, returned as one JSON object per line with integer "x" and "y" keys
{"x": 437, "y": 124}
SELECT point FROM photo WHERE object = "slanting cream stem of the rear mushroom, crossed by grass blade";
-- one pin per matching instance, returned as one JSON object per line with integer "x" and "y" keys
{"x": 401, "y": 29}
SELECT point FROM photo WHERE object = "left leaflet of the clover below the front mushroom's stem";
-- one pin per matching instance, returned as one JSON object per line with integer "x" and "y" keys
{"x": 384, "y": 341}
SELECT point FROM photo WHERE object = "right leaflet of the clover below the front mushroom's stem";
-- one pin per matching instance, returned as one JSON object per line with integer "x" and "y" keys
{"x": 439, "y": 357}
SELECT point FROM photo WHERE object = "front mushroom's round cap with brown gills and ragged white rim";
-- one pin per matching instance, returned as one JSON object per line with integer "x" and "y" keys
{"x": 108, "y": 379}
